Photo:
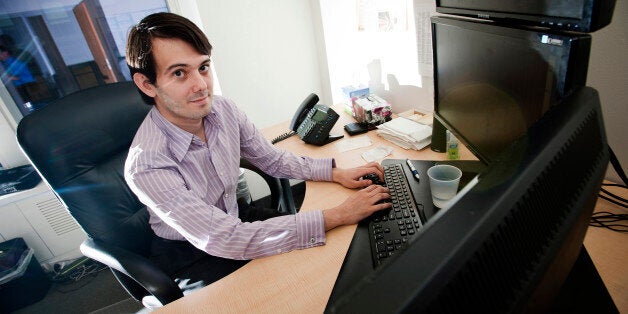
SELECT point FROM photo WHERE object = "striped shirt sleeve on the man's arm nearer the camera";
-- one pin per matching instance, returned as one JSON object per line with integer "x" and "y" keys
{"x": 157, "y": 183}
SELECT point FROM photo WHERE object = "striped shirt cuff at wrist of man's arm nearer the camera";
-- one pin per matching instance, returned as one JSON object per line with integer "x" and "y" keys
{"x": 310, "y": 229}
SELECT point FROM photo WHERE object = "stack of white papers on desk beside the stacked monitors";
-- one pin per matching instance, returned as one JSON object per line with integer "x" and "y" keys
{"x": 406, "y": 133}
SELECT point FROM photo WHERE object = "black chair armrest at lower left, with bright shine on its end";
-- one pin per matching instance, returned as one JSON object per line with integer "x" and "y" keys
{"x": 136, "y": 267}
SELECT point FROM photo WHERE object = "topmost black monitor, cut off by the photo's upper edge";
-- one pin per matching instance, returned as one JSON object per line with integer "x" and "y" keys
{"x": 574, "y": 15}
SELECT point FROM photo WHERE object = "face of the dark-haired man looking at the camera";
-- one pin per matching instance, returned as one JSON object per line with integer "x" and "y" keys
{"x": 184, "y": 87}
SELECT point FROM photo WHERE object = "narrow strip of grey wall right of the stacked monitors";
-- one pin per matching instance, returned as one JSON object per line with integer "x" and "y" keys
{"x": 608, "y": 73}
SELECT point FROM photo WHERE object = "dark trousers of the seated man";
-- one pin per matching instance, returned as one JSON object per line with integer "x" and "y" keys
{"x": 193, "y": 268}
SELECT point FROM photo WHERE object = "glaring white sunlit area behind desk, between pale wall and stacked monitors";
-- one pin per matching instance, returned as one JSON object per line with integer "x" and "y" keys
{"x": 381, "y": 44}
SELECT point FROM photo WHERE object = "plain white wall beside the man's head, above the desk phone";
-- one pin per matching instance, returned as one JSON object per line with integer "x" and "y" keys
{"x": 265, "y": 54}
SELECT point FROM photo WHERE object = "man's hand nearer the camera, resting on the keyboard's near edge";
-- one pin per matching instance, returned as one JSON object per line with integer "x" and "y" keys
{"x": 357, "y": 207}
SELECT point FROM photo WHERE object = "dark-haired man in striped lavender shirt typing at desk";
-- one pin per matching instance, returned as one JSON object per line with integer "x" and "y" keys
{"x": 184, "y": 163}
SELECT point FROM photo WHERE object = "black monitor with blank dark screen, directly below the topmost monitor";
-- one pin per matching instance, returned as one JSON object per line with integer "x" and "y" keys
{"x": 492, "y": 82}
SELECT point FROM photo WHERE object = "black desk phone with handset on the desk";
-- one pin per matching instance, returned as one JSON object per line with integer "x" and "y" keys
{"x": 312, "y": 122}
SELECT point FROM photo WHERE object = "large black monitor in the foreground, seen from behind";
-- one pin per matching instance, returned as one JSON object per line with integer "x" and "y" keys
{"x": 511, "y": 237}
